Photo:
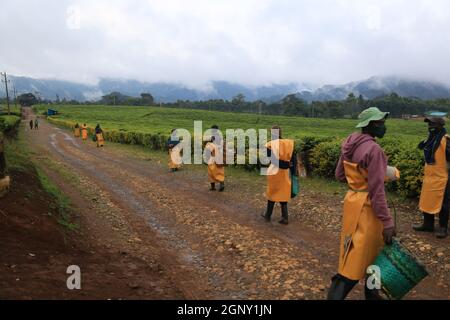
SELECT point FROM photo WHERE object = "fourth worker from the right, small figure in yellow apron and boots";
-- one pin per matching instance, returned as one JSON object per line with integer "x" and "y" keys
{"x": 215, "y": 160}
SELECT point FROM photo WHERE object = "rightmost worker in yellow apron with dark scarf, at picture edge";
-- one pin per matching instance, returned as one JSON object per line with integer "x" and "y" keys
{"x": 434, "y": 198}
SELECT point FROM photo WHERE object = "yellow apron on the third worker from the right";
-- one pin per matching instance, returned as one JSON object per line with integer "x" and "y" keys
{"x": 279, "y": 180}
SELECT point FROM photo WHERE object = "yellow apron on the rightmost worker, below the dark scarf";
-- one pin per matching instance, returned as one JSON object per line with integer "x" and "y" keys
{"x": 435, "y": 181}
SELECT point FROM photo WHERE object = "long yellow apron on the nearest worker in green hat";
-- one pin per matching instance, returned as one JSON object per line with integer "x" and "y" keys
{"x": 362, "y": 231}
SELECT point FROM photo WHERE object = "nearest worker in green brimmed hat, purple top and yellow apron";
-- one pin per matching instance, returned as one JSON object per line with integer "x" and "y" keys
{"x": 367, "y": 224}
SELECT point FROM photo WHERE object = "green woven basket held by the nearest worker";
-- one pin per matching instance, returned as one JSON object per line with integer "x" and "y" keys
{"x": 400, "y": 270}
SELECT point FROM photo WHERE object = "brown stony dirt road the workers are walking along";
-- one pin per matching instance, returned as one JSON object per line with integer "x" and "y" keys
{"x": 212, "y": 245}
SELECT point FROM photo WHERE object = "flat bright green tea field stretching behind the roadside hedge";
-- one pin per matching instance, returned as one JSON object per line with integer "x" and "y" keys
{"x": 155, "y": 120}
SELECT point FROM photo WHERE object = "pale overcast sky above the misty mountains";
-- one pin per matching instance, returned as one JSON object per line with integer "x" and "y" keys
{"x": 244, "y": 41}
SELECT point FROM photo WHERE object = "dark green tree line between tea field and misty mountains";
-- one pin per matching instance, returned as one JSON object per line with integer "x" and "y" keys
{"x": 291, "y": 105}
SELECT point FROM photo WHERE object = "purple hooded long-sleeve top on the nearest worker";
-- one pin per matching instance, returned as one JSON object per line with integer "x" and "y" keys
{"x": 362, "y": 149}
